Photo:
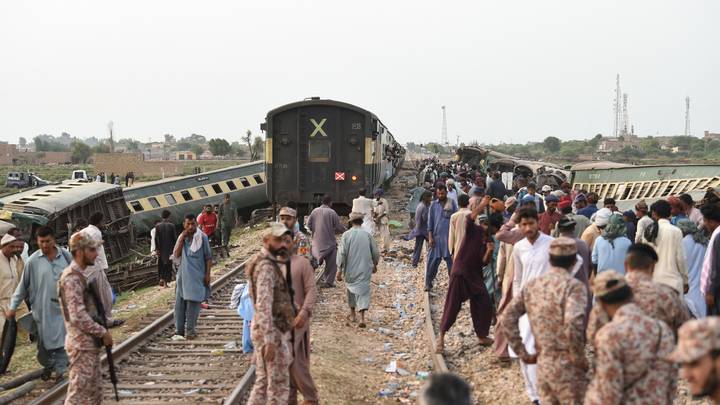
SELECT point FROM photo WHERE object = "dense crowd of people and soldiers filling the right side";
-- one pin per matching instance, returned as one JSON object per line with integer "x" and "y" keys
{"x": 572, "y": 278}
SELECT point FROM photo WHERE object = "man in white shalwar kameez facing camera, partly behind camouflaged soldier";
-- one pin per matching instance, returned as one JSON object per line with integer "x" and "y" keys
{"x": 531, "y": 258}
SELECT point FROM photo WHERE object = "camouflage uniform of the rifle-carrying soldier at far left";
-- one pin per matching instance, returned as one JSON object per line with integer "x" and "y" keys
{"x": 85, "y": 380}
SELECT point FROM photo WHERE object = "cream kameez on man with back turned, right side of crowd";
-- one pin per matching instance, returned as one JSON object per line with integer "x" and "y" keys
{"x": 671, "y": 269}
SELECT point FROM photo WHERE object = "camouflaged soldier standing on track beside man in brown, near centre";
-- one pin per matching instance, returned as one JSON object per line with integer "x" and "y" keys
{"x": 271, "y": 292}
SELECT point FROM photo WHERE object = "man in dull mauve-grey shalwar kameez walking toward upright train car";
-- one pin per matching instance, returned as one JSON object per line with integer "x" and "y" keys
{"x": 324, "y": 223}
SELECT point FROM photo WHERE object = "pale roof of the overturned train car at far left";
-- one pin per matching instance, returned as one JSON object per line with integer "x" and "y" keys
{"x": 56, "y": 197}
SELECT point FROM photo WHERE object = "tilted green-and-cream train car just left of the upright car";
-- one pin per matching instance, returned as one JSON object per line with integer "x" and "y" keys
{"x": 189, "y": 194}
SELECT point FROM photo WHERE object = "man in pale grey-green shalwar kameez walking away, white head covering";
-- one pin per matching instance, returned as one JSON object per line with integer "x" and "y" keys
{"x": 357, "y": 259}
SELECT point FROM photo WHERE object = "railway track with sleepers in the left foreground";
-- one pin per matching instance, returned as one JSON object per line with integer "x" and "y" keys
{"x": 153, "y": 369}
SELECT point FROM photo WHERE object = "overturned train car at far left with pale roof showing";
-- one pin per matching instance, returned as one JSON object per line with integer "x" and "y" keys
{"x": 61, "y": 205}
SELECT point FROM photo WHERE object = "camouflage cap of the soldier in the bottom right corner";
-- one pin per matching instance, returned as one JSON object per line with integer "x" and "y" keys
{"x": 697, "y": 338}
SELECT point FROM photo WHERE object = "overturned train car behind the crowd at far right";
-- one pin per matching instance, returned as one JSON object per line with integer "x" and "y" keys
{"x": 628, "y": 184}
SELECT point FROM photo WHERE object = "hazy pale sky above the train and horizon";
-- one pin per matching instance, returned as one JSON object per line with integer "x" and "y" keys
{"x": 506, "y": 70}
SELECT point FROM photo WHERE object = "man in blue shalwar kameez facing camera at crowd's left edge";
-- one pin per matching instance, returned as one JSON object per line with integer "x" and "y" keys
{"x": 438, "y": 233}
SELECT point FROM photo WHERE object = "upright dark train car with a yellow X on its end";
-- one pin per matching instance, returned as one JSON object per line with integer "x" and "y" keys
{"x": 316, "y": 147}
